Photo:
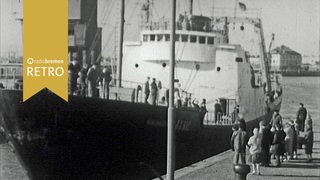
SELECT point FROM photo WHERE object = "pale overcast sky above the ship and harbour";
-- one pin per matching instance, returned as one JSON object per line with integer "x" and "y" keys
{"x": 294, "y": 22}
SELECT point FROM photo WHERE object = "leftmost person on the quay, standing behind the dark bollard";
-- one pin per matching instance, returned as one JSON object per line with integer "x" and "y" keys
{"x": 239, "y": 140}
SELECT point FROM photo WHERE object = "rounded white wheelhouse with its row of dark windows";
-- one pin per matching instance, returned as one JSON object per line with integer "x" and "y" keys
{"x": 191, "y": 46}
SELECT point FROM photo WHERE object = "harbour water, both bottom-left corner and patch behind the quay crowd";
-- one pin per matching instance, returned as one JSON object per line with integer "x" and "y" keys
{"x": 295, "y": 90}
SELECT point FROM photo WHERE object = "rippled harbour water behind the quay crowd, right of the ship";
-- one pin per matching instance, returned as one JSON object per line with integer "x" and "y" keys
{"x": 301, "y": 89}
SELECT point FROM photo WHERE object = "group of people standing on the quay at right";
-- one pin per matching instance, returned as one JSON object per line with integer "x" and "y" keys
{"x": 273, "y": 140}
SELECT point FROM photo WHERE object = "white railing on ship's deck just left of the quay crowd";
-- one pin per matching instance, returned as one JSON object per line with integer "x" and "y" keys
{"x": 220, "y": 119}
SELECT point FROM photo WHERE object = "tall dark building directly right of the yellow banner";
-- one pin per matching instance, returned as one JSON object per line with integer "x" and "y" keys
{"x": 84, "y": 37}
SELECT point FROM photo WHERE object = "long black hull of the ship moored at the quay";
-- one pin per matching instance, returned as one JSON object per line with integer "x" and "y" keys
{"x": 90, "y": 138}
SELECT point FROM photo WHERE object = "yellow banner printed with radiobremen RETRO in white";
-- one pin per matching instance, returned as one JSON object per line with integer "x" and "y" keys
{"x": 45, "y": 47}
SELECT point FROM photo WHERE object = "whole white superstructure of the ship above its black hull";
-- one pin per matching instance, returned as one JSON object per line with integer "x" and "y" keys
{"x": 210, "y": 62}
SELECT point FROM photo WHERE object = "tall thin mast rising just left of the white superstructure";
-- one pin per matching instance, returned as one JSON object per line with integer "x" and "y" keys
{"x": 119, "y": 62}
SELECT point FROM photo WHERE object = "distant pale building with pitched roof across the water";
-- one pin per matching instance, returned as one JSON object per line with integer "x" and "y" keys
{"x": 285, "y": 59}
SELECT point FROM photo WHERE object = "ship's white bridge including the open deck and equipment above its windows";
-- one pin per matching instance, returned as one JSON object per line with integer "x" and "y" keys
{"x": 196, "y": 38}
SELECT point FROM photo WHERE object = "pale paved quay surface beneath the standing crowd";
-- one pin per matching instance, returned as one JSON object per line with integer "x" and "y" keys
{"x": 220, "y": 166}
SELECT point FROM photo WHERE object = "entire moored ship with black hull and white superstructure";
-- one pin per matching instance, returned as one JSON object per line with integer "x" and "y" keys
{"x": 124, "y": 137}
